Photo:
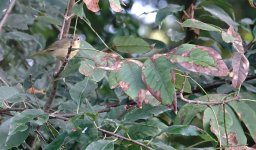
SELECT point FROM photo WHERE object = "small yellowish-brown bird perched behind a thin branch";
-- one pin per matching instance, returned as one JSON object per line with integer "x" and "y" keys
{"x": 60, "y": 48}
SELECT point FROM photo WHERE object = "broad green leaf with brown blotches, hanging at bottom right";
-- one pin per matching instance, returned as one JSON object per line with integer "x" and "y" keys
{"x": 213, "y": 121}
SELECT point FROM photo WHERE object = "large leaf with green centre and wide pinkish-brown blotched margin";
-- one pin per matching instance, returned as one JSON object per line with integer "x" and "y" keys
{"x": 199, "y": 59}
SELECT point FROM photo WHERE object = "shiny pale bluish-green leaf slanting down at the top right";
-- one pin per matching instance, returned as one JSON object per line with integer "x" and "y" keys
{"x": 220, "y": 14}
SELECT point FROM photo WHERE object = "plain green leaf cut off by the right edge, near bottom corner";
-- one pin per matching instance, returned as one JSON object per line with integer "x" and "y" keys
{"x": 247, "y": 115}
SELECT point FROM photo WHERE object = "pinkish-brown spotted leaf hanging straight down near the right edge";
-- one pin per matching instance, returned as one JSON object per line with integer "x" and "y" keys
{"x": 240, "y": 66}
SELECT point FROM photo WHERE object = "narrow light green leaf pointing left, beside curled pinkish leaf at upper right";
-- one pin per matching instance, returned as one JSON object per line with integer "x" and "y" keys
{"x": 193, "y": 23}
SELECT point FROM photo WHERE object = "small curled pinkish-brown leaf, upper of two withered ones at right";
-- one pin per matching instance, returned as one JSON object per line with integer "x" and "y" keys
{"x": 237, "y": 40}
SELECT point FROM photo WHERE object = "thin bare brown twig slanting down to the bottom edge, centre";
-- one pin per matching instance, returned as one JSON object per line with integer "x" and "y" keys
{"x": 124, "y": 138}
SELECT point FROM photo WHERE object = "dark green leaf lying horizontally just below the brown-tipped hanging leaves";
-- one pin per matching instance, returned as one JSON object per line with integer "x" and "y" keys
{"x": 147, "y": 111}
